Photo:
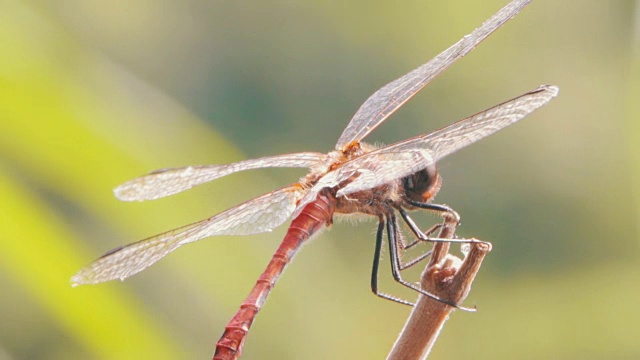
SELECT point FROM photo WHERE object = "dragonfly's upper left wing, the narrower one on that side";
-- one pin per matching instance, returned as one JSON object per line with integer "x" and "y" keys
{"x": 165, "y": 182}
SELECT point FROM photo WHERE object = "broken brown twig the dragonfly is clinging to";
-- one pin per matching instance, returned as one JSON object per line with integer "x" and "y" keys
{"x": 447, "y": 277}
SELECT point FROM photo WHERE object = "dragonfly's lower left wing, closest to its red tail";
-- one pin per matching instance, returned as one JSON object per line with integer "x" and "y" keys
{"x": 254, "y": 216}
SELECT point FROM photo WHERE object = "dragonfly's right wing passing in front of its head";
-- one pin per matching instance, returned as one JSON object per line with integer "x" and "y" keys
{"x": 406, "y": 157}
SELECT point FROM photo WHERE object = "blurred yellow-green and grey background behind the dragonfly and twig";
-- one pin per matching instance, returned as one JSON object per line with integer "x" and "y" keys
{"x": 94, "y": 93}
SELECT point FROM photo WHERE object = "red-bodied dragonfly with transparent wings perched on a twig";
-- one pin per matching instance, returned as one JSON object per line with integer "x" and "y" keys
{"x": 385, "y": 182}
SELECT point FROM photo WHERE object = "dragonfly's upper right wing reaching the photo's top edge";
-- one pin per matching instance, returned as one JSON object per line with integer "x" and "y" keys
{"x": 384, "y": 102}
